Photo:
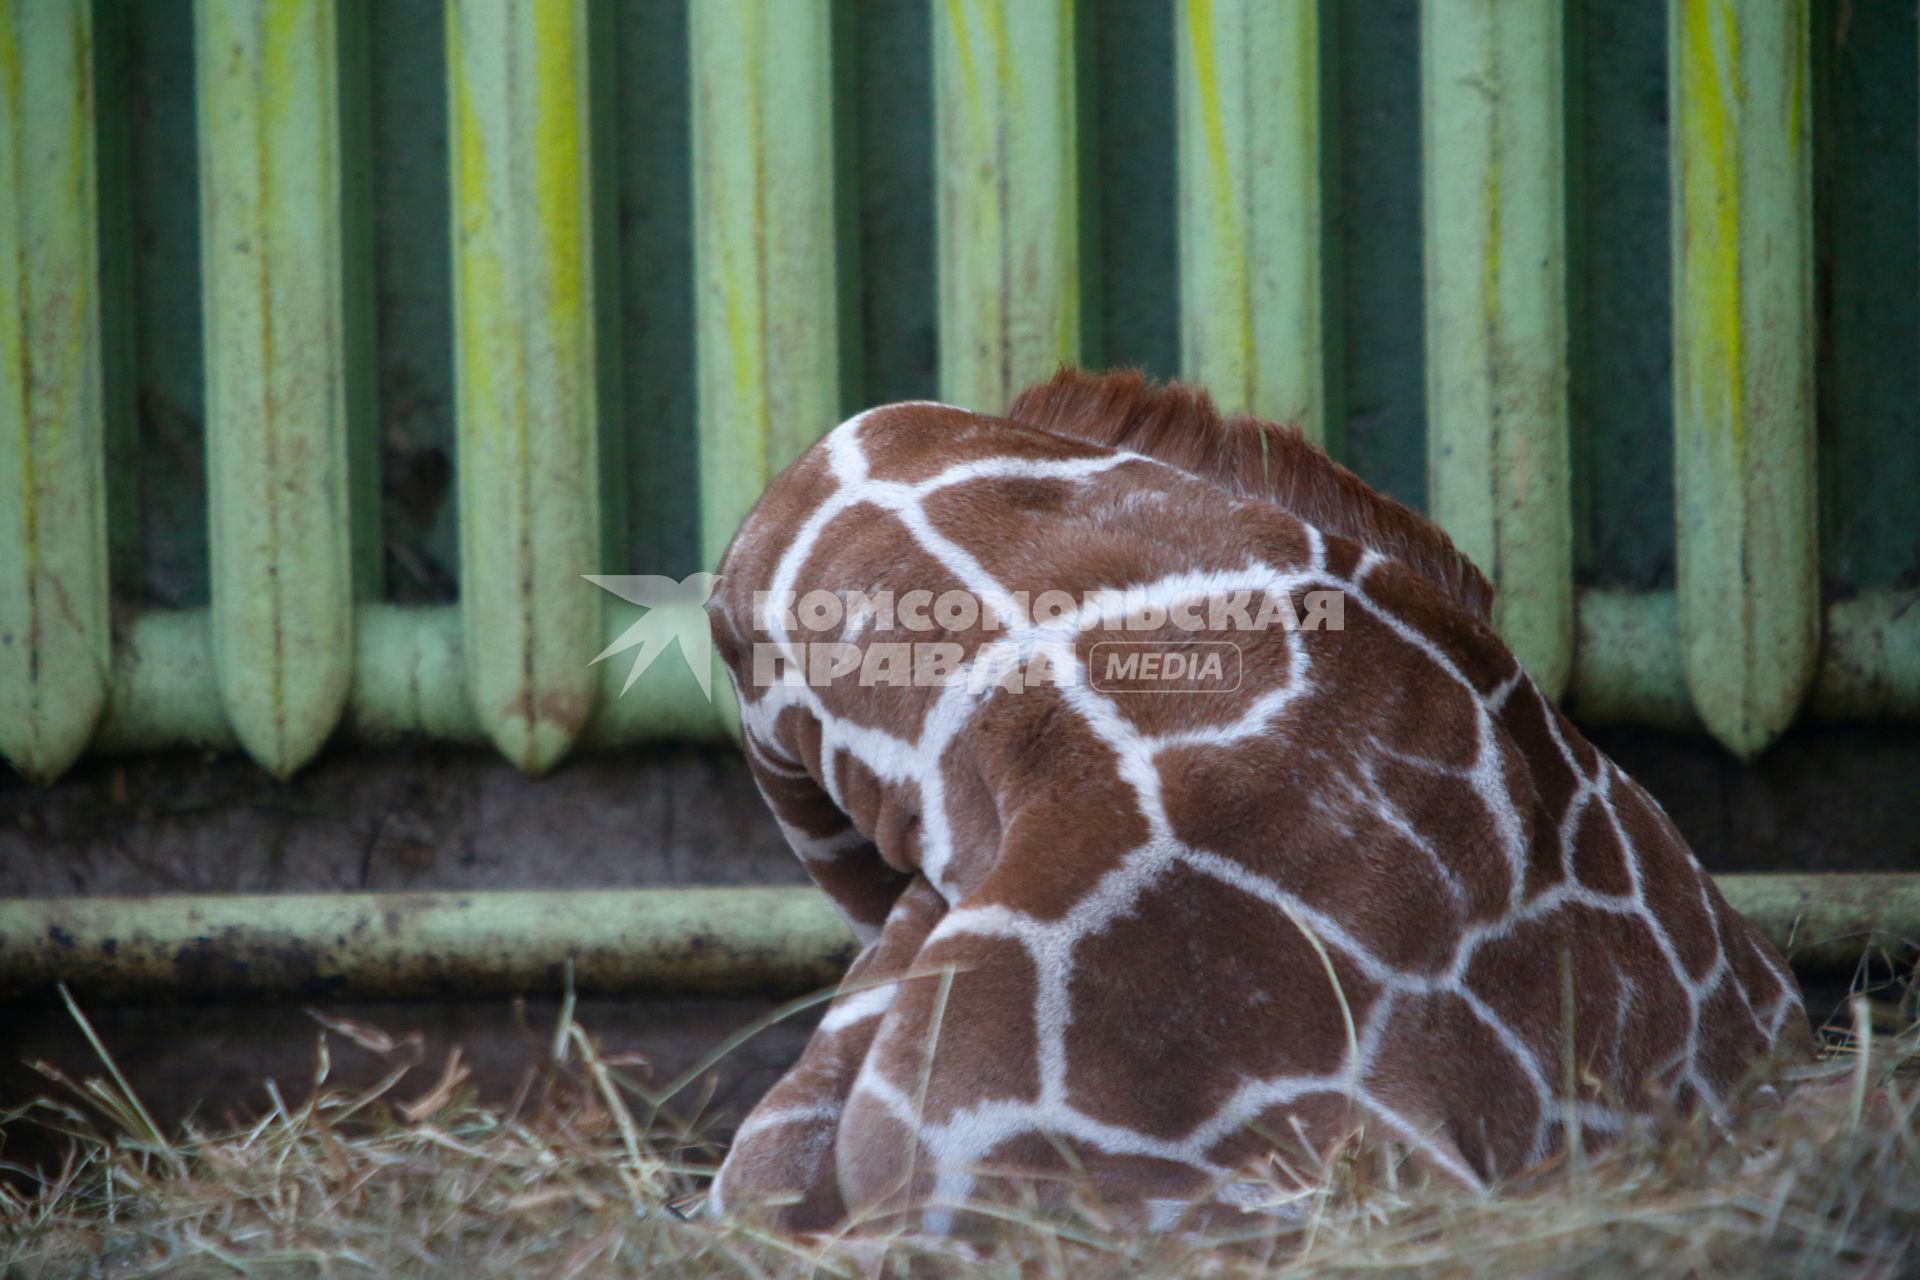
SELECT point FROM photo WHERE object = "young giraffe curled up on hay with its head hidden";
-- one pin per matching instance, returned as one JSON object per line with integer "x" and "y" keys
{"x": 1189, "y": 813}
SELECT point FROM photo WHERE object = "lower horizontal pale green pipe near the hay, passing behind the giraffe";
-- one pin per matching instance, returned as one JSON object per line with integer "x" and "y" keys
{"x": 709, "y": 941}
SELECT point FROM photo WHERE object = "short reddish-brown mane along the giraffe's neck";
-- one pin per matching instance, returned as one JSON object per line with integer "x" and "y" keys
{"x": 1249, "y": 458}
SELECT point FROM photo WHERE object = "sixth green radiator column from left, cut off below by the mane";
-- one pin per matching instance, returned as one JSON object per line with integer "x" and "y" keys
{"x": 1251, "y": 206}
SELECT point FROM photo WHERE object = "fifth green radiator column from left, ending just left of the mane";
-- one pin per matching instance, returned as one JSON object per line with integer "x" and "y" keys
{"x": 1007, "y": 151}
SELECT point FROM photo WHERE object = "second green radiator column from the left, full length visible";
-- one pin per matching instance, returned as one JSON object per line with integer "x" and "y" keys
{"x": 277, "y": 408}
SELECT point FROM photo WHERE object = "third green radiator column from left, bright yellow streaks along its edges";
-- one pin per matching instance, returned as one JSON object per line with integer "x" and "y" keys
{"x": 525, "y": 369}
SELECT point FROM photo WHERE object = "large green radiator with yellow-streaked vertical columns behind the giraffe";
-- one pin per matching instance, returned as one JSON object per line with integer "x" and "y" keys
{"x": 1024, "y": 135}
